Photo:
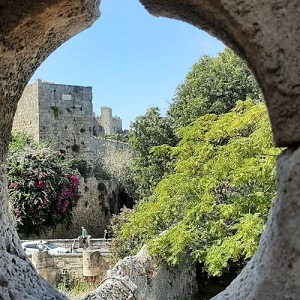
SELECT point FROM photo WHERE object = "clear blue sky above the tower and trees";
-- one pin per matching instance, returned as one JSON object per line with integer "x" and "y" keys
{"x": 132, "y": 60}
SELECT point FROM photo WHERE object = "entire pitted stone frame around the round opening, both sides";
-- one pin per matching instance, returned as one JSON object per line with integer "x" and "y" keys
{"x": 264, "y": 33}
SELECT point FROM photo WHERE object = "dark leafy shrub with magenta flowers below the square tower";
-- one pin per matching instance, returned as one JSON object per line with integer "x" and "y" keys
{"x": 42, "y": 189}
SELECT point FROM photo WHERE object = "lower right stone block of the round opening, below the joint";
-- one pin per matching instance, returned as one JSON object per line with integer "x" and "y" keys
{"x": 273, "y": 272}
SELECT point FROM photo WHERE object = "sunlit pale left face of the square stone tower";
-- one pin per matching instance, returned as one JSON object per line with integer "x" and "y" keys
{"x": 27, "y": 115}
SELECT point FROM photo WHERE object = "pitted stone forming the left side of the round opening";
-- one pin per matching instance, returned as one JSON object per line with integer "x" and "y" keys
{"x": 29, "y": 32}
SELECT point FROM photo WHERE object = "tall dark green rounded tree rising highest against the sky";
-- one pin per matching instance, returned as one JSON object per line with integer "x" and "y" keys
{"x": 213, "y": 85}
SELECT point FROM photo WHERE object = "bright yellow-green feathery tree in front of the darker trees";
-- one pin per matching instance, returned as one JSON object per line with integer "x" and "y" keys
{"x": 215, "y": 202}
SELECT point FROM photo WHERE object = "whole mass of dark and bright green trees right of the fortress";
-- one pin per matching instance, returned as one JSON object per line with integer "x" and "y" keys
{"x": 206, "y": 190}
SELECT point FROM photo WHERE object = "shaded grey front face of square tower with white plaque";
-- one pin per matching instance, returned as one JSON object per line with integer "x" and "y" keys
{"x": 66, "y": 115}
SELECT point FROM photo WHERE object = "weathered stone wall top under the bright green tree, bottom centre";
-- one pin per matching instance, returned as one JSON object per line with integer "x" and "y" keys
{"x": 140, "y": 278}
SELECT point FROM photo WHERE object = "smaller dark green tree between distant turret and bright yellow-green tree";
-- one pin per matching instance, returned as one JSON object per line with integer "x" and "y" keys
{"x": 146, "y": 132}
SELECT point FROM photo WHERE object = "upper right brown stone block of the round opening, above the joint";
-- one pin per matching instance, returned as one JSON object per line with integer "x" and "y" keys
{"x": 265, "y": 33}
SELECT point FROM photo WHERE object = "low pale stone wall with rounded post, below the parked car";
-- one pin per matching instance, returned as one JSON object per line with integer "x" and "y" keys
{"x": 89, "y": 263}
